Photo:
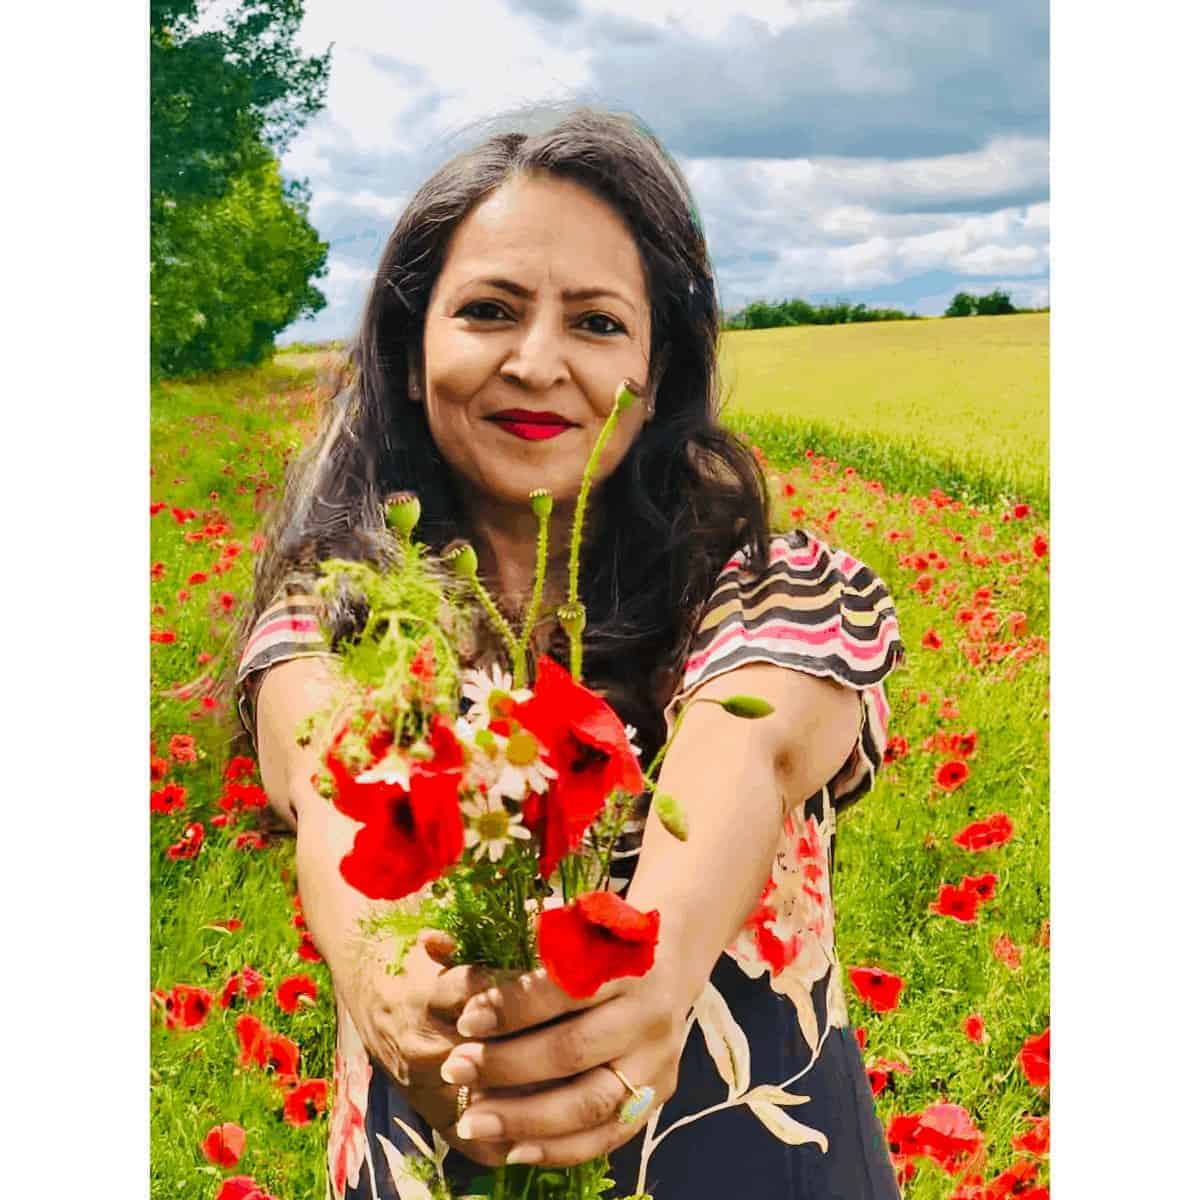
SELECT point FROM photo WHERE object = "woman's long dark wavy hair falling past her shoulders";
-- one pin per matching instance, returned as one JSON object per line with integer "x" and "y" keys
{"x": 688, "y": 493}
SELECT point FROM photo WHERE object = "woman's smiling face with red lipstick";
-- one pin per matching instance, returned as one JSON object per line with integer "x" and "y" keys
{"x": 539, "y": 313}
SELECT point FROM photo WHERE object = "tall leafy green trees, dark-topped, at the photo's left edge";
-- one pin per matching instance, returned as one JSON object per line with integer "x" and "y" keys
{"x": 232, "y": 253}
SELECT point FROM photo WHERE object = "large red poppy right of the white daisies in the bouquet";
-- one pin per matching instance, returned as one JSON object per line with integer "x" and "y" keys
{"x": 587, "y": 746}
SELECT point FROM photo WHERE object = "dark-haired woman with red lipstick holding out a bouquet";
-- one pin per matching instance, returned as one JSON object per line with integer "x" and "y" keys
{"x": 524, "y": 283}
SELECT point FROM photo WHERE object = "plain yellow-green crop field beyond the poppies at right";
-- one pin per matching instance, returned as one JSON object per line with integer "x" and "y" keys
{"x": 974, "y": 393}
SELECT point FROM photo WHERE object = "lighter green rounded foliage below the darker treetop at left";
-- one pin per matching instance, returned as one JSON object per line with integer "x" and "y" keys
{"x": 229, "y": 274}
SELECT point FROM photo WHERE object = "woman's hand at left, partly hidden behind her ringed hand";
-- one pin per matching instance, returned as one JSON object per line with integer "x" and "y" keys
{"x": 407, "y": 1025}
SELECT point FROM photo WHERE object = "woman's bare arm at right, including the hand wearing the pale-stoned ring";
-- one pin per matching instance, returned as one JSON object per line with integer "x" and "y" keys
{"x": 736, "y": 779}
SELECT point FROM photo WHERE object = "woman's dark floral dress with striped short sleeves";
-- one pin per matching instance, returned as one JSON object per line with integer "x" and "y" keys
{"x": 772, "y": 1097}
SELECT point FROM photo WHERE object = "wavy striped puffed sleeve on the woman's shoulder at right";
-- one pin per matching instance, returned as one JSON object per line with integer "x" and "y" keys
{"x": 817, "y": 610}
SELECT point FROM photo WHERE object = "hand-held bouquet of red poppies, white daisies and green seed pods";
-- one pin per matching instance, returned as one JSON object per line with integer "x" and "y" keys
{"x": 496, "y": 824}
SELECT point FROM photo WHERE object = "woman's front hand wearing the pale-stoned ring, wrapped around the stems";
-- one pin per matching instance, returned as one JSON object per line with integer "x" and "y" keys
{"x": 635, "y": 1025}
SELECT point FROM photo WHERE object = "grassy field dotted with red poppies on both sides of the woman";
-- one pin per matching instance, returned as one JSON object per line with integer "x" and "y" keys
{"x": 943, "y": 872}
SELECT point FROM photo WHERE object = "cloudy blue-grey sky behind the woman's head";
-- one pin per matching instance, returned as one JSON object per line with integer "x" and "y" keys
{"x": 892, "y": 152}
